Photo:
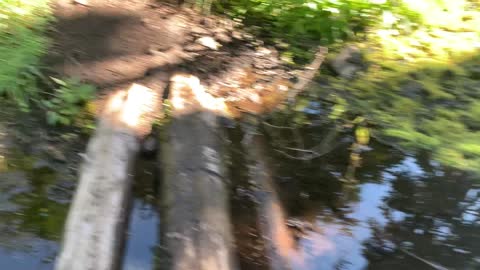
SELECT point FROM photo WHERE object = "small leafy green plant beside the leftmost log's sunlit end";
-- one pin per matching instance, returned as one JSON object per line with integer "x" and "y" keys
{"x": 67, "y": 102}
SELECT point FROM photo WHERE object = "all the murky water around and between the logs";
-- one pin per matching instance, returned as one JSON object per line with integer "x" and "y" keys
{"x": 402, "y": 211}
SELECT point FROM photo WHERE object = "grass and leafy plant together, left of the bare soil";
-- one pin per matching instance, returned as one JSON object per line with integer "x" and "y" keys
{"x": 23, "y": 42}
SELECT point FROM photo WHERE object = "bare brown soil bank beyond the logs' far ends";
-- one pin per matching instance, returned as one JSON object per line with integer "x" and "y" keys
{"x": 114, "y": 43}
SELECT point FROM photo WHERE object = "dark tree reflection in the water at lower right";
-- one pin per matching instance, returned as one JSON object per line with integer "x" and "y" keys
{"x": 432, "y": 203}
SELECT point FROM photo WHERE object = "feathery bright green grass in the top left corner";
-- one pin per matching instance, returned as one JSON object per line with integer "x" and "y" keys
{"x": 22, "y": 43}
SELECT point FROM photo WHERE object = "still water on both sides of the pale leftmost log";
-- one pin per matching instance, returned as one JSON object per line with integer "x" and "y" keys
{"x": 33, "y": 207}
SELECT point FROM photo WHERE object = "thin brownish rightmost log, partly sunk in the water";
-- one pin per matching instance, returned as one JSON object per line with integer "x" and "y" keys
{"x": 278, "y": 241}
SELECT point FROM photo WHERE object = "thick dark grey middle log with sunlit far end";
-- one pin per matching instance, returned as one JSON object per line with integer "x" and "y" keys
{"x": 197, "y": 228}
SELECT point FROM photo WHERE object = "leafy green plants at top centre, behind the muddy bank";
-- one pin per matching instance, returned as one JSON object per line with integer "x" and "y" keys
{"x": 302, "y": 24}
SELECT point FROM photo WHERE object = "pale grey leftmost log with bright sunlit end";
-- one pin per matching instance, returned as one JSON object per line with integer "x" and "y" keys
{"x": 94, "y": 230}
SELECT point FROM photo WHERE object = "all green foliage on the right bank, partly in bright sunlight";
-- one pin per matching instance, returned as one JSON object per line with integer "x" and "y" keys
{"x": 421, "y": 87}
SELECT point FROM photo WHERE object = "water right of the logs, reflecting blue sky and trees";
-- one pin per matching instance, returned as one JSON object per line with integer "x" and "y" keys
{"x": 404, "y": 211}
